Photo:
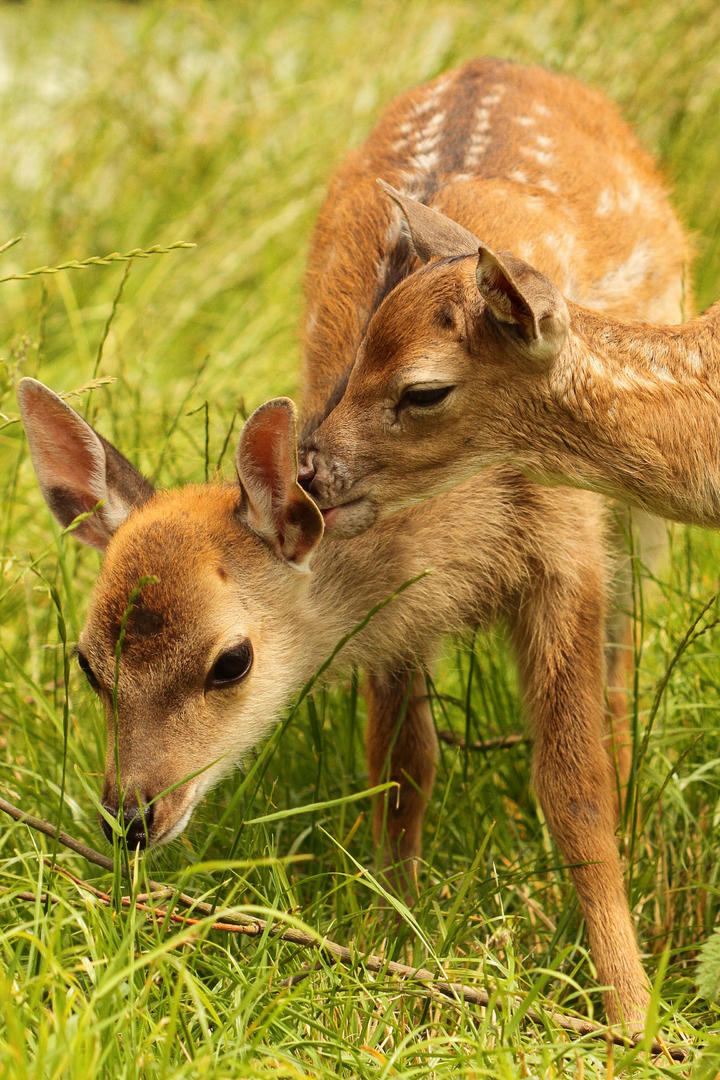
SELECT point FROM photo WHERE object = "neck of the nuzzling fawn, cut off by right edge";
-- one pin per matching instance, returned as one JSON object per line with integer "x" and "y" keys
{"x": 635, "y": 409}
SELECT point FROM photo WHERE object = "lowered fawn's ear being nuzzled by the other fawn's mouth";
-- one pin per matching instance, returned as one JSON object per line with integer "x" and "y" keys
{"x": 275, "y": 506}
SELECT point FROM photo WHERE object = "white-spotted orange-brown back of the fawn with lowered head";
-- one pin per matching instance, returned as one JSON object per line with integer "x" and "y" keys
{"x": 532, "y": 163}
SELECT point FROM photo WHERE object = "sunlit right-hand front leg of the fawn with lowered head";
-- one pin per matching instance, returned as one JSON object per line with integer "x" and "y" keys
{"x": 559, "y": 638}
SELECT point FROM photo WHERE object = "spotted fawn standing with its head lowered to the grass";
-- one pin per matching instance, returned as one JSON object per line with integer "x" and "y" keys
{"x": 224, "y": 630}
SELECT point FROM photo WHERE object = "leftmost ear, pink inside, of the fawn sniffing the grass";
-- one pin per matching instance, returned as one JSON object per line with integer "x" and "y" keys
{"x": 77, "y": 469}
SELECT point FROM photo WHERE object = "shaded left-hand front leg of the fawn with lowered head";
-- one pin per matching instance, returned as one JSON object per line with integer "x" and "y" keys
{"x": 402, "y": 747}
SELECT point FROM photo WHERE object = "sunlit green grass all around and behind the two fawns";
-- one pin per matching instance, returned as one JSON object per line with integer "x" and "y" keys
{"x": 132, "y": 126}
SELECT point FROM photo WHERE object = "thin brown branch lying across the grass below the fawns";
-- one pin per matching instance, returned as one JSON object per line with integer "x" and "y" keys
{"x": 235, "y": 922}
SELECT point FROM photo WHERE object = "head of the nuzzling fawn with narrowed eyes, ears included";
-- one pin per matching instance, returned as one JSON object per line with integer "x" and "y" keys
{"x": 445, "y": 356}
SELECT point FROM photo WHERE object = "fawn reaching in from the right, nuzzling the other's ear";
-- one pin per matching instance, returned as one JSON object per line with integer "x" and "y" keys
{"x": 500, "y": 367}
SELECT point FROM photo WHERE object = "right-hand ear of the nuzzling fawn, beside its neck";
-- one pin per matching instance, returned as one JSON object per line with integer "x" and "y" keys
{"x": 521, "y": 299}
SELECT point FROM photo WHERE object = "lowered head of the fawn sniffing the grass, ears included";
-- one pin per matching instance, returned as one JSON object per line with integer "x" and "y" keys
{"x": 192, "y": 639}
